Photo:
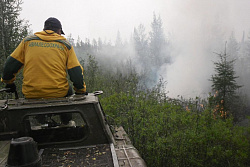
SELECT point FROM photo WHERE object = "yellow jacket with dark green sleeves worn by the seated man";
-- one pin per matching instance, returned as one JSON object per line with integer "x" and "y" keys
{"x": 46, "y": 57}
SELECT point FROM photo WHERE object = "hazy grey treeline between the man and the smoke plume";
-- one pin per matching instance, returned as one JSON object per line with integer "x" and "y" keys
{"x": 147, "y": 52}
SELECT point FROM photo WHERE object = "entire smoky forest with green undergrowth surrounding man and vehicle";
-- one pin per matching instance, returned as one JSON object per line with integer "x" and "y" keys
{"x": 167, "y": 131}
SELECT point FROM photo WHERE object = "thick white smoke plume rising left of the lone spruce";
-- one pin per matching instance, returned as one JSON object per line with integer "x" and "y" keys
{"x": 199, "y": 29}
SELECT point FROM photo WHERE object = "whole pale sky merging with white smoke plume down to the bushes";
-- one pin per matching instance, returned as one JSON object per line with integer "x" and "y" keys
{"x": 190, "y": 22}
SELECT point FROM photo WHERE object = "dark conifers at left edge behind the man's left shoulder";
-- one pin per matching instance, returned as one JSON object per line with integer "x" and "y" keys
{"x": 12, "y": 31}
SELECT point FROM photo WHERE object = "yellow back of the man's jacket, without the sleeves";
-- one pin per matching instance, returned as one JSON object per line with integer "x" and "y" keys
{"x": 45, "y": 62}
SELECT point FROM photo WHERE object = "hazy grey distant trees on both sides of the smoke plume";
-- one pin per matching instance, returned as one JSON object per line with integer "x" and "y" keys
{"x": 150, "y": 51}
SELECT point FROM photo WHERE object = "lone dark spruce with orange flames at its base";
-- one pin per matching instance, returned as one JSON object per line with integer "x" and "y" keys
{"x": 224, "y": 85}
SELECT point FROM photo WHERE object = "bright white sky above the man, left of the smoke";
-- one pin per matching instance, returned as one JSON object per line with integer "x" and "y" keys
{"x": 92, "y": 18}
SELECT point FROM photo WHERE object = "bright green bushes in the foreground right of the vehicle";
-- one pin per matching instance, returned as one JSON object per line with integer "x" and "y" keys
{"x": 166, "y": 134}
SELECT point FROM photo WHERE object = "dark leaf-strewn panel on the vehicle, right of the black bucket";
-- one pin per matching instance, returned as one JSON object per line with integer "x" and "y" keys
{"x": 99, "y": 155}
